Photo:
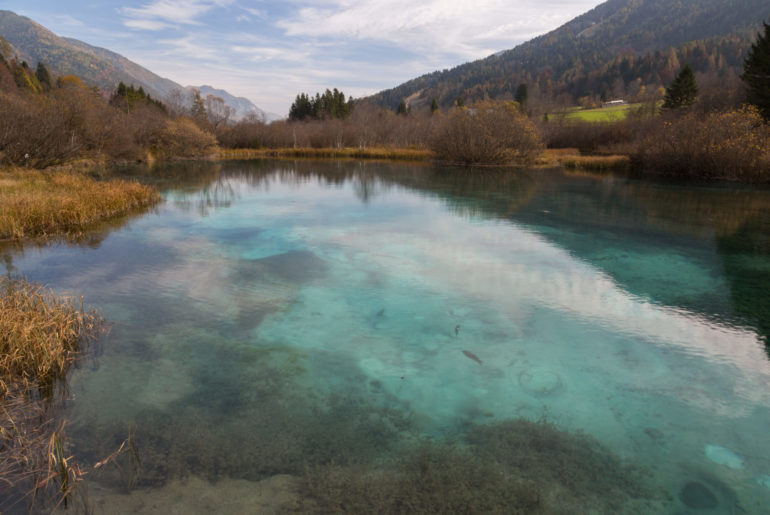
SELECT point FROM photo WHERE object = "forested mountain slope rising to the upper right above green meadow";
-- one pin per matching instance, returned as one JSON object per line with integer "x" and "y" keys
{"x": 621, "y": 48}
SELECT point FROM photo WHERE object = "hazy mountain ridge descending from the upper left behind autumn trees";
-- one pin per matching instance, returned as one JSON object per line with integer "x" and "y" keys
{"x": 98, "y": 66}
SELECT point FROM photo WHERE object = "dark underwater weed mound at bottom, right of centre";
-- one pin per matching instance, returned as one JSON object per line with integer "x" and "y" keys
{"x": 514, "y": 466}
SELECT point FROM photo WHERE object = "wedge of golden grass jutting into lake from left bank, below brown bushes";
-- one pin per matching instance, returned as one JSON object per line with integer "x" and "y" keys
{"x": 37, "y": 204}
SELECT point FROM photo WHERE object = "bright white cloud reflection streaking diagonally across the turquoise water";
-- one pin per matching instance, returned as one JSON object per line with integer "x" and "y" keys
{"x": 513, "y": 270}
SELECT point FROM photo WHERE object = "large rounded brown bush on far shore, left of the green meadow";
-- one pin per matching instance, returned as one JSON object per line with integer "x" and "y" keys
{"x": 487, "y": 133}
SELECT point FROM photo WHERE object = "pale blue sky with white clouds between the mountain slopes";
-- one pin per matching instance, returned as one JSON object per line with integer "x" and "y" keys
{"x": 269, "y": 51}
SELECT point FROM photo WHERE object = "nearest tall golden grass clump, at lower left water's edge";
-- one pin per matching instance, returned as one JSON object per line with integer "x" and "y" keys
{"x": 41, "y": 336}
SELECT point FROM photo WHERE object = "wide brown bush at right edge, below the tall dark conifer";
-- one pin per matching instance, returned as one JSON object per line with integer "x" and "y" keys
{"x": 733, "y": 145}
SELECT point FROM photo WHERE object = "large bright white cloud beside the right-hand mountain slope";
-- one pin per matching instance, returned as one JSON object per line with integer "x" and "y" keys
{"x": 432, "y": 26}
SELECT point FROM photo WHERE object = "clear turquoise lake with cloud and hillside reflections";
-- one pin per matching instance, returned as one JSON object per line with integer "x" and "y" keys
{"x": 275, "y": 320}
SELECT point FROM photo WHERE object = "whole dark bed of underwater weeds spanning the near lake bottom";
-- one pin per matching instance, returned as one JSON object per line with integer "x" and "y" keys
{"x": 353, "y": 455}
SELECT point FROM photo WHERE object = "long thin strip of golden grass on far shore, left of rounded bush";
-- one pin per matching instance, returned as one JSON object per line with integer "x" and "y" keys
{"x": 405, "y": 154}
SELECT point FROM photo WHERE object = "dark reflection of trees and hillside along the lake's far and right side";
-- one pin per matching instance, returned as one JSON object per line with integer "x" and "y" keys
{"x": 587, "y": 211}
